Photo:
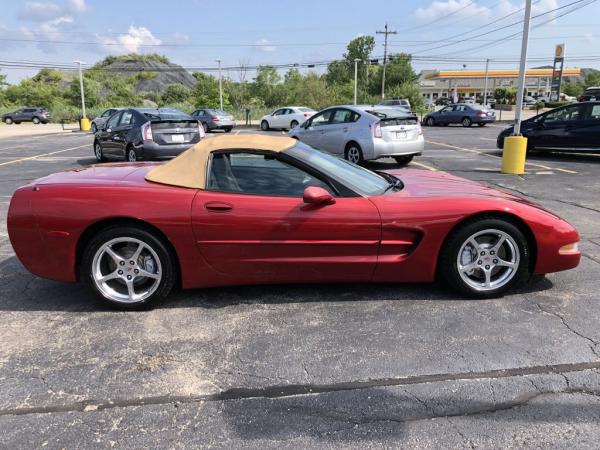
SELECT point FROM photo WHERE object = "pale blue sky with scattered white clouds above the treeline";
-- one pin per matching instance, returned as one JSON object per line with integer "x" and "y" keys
{"x": 196, "y": 32}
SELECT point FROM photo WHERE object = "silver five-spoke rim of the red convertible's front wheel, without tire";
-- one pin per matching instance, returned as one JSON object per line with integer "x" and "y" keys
{"x": 488, "y": 259}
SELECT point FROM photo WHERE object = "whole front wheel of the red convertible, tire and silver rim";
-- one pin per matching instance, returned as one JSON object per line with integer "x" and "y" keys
{"x": 485, "y": 257}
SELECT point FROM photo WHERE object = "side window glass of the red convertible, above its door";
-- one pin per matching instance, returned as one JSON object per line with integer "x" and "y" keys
{"x": 258, "y": 174}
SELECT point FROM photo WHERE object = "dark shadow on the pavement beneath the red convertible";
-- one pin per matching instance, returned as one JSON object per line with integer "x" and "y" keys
{"x": 22, "y": 291}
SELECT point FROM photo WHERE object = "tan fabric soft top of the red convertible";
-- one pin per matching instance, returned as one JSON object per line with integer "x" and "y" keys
{"x": 189, "y": 168}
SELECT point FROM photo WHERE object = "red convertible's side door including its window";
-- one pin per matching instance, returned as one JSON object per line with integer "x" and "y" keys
{"x": 253, "y": 226}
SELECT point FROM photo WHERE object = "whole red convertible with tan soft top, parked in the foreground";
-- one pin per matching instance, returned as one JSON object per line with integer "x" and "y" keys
{"x": 237, "y": 210}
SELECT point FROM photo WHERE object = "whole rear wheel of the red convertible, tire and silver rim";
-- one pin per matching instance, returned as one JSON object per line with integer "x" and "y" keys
{"x": 128, "y": 267}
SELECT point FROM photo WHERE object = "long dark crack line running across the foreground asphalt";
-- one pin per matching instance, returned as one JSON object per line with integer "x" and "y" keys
{"x": 282, "y": 391}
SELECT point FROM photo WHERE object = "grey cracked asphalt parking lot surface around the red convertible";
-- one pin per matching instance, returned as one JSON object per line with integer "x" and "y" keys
{"x": 351, "y": 366}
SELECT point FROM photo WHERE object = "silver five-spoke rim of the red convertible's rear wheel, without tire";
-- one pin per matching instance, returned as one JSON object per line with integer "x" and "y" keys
{"x": 126, "y": 270}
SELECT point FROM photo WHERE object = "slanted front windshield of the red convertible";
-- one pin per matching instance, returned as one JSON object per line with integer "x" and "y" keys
{"x": 358, "y": 179}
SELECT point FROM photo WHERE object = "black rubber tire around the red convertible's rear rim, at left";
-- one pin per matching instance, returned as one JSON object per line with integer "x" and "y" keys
{"x": 168, "y": 274}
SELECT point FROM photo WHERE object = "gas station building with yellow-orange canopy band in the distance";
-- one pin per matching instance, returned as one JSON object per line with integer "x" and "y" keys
{"x": 471, "y": 83}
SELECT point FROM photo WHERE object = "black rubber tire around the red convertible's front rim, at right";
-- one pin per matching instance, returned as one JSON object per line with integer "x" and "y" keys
{"x": 448, "y": 260}
